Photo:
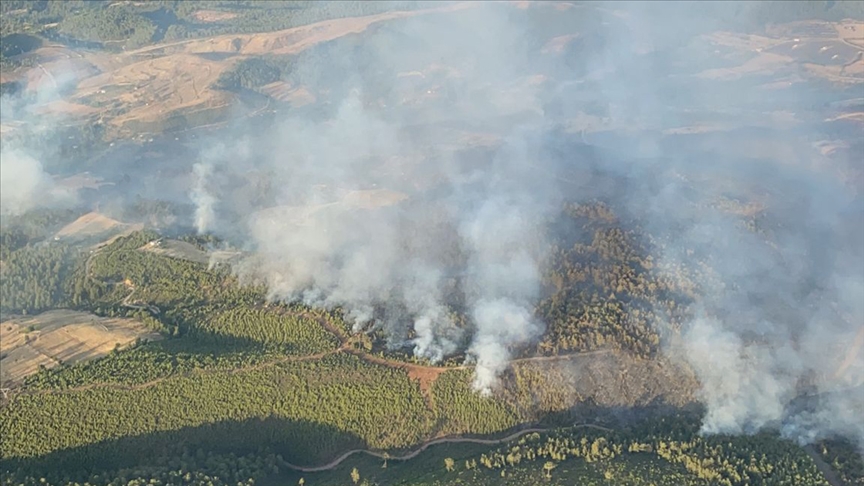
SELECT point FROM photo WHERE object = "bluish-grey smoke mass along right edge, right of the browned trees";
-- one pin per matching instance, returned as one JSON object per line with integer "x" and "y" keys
{"x": 778, "y": 308}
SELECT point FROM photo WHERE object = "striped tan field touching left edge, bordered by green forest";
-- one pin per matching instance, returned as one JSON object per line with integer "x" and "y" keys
{"x": 60, "y": 336}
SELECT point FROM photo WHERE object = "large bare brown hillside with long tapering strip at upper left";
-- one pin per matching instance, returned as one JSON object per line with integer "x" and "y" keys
{"x": 137, "y": 90}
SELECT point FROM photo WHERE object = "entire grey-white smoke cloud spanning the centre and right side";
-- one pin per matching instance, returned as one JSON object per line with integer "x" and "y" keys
{"x": 391, "y": 215}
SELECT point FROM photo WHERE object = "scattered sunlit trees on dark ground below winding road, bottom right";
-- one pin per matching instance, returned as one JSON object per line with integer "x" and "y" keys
{"x": 762, "y": 459}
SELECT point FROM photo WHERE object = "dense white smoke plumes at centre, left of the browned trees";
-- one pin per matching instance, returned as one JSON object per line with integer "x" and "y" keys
{"x": 338, "y": 233}
